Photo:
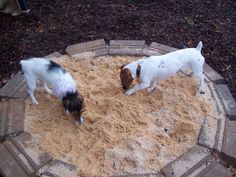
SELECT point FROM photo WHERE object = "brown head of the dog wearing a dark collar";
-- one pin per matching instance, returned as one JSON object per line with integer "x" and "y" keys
{"x": 125, "y": 77}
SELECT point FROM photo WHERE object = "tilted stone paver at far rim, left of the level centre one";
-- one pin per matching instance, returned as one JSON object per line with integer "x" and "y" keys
{"x": 88, "y": 49}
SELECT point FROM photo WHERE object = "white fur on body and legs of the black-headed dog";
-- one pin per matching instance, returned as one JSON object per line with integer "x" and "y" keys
{"x": 59, "y": 81}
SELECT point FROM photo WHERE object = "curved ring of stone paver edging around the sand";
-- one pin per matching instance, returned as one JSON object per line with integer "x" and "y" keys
{"x": 198, "y": 161}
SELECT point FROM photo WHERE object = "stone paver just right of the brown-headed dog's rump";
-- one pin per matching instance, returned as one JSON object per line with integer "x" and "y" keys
{"x": 212, "y": 75}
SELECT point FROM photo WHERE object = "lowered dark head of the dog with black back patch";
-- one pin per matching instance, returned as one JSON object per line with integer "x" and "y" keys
{"x": 74, "y": 103}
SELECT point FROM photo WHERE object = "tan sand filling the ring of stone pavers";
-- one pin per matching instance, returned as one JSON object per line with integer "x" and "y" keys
{"x": 121, "y": 134}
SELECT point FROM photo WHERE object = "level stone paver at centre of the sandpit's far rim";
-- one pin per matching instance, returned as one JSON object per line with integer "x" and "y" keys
{"x": 126, "y": 47}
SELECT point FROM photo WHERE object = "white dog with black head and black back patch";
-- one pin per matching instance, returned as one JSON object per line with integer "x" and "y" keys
{"x": 52, "y": 75}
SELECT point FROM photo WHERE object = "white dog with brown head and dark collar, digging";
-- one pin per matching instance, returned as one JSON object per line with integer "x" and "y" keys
{"x": 149, "y": 71}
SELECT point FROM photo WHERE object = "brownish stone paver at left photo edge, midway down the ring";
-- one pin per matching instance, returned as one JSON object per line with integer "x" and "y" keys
{"x": 11, "y": 117}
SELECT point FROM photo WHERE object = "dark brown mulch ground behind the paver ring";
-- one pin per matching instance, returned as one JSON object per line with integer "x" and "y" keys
{"x": 53, "y": 25}
